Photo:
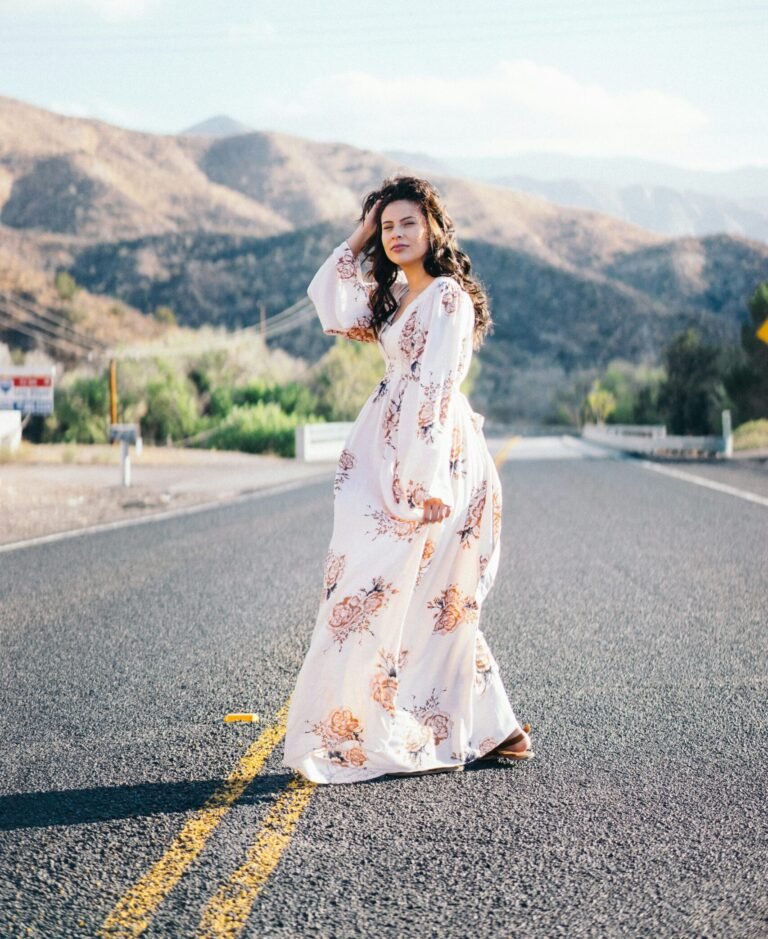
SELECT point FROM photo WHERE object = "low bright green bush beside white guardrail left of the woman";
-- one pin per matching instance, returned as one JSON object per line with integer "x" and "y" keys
{"x": 260, "y": 428}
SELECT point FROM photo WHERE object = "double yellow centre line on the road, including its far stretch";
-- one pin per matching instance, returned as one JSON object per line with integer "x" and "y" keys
{"x": 227, "y": 912}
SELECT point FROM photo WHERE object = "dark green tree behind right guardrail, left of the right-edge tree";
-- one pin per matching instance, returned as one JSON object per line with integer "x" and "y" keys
{"x": 693, "y": 395}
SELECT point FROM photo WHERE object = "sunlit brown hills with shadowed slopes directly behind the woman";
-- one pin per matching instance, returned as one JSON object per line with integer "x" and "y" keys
{"x": 215, "y": 226}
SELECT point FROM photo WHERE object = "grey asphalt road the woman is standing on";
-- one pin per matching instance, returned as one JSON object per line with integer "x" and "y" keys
{"x": 629, "y": 619}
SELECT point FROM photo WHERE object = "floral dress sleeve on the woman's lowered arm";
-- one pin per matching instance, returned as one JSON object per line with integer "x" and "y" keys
{"x": 422, "y": 465}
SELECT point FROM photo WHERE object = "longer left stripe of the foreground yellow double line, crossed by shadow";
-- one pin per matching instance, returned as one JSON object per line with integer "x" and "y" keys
{"x": 134, "y": 911}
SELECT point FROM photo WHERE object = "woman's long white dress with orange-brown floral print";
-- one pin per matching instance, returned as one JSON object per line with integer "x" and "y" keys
{"x": 398, "y": 676}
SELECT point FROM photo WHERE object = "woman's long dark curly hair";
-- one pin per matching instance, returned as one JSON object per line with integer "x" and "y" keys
{"x": 443, "y": 257}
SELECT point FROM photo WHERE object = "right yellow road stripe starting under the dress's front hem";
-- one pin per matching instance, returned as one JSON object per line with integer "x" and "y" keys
{"x": 227, "y": 912}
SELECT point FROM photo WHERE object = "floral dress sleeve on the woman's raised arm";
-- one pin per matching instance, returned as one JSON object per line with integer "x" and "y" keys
{"x": 341, "y": 296}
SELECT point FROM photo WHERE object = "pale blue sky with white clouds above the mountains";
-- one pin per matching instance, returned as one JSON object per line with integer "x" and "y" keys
{"x": 679, "y": 81}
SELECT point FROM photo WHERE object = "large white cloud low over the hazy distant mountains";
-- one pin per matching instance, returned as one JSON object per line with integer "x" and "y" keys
{"x": 515, "y": 106}
